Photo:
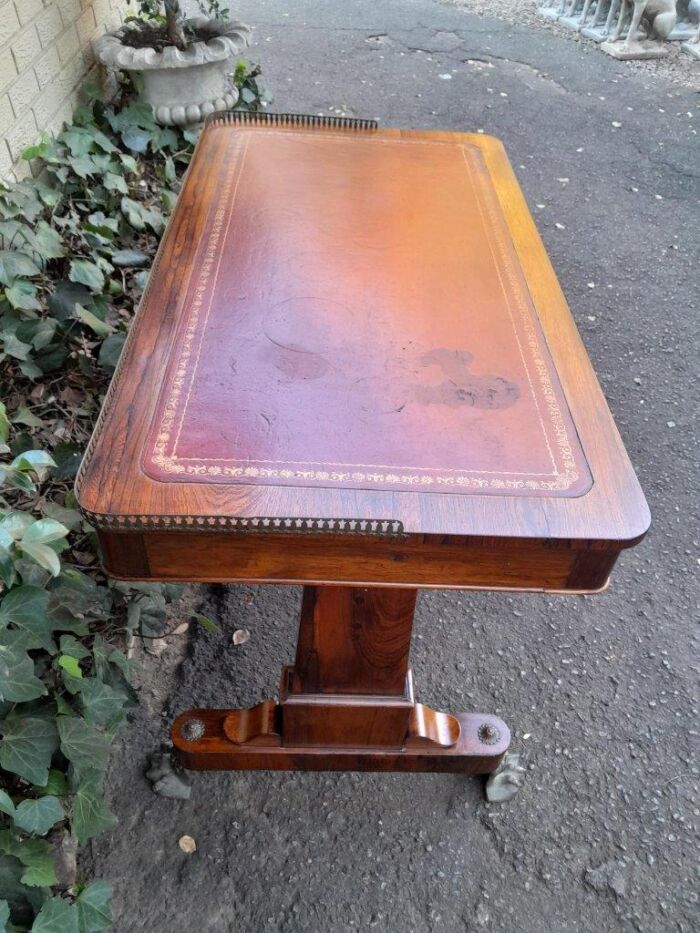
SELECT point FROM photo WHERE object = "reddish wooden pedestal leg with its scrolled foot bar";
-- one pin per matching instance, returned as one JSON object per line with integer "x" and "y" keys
{"x": 346, "y": 704}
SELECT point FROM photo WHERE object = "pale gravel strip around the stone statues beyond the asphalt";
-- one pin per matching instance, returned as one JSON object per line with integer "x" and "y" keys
{"x": 677, "y": 68}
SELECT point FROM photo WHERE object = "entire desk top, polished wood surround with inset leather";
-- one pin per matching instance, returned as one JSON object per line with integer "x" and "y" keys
{"x": 357, "y": 328}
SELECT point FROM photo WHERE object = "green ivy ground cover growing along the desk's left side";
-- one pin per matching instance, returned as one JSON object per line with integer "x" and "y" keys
{"x": 75, "y": 248}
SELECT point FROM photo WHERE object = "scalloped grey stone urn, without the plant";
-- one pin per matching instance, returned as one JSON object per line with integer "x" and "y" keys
{"x": 182, "y": 85}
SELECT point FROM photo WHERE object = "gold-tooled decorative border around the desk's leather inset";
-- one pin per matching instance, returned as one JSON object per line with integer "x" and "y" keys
{"x": 566, "y": 471}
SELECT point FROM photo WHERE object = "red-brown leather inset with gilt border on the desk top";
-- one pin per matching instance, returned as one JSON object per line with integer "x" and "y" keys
{"x": 355, "y": 315}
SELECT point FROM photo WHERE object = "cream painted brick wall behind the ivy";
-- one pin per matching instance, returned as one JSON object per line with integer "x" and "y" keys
{"x": 45, "y": 54}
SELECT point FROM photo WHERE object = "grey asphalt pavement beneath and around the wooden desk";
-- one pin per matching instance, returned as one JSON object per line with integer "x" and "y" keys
{"x": 601, "y": 692}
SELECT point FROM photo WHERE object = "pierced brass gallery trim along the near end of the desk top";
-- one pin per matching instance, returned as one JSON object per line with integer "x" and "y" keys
{"x": 379, "y": 527}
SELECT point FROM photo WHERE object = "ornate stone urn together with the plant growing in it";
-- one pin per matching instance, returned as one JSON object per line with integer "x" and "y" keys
{"x": 181, "y": 66}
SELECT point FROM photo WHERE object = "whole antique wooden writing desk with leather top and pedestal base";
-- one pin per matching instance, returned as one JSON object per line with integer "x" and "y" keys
{"x": 353, "y": 369}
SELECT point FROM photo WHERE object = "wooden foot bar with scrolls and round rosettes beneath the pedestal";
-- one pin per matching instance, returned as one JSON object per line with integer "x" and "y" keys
{"x": 480, "y": 741}
